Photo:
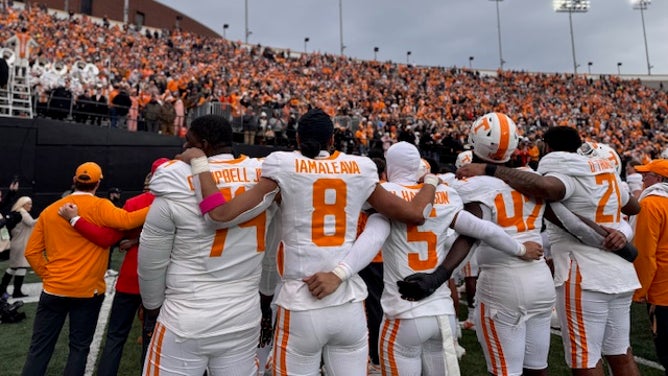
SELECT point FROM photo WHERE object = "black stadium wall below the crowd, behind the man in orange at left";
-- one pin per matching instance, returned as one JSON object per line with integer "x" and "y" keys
{"x": 44, "y": 154}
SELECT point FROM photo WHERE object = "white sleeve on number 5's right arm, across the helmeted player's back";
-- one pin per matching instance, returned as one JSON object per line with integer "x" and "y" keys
{"x": 470, "y": 225}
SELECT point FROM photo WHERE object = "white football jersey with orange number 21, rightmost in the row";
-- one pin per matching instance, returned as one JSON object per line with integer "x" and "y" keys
{"x": 593, "y": 191}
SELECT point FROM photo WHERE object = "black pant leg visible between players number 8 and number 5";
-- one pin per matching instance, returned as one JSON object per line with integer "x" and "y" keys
{"x": 372, "y": 275}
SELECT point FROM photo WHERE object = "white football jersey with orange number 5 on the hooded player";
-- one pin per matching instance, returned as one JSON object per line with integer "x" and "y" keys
{"x": 413, "y": 249}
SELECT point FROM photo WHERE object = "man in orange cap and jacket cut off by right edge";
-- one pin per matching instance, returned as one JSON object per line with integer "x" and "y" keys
{"x": 651, "y": 226}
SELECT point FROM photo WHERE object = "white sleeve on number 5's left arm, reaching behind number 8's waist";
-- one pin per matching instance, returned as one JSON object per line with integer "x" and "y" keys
{"x": 366, "y": 246}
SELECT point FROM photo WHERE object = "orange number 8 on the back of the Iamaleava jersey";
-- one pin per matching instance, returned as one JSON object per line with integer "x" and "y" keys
{"x": 332, "y": 207}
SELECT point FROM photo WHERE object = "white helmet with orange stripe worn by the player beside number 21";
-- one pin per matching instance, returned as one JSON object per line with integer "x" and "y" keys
{"x": 494, "y": 137}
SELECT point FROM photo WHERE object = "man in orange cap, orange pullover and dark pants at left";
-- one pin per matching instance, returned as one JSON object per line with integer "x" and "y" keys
{"x": 72, "y": 271}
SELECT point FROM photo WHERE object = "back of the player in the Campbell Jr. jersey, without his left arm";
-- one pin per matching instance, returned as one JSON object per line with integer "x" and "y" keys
{"x": 207, "y": 265}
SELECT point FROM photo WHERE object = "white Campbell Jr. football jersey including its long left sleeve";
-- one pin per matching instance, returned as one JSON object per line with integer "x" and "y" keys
{"x": 205, "y": 279}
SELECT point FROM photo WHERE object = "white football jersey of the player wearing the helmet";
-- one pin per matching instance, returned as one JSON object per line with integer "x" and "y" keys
{"x": 518, "y": 215}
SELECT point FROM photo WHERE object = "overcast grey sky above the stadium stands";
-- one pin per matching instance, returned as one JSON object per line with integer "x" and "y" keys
{"x": 447, "y": 32}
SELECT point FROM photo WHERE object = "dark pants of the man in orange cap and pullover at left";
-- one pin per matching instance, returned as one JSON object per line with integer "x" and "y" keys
{"x": 49, "y": 319}
